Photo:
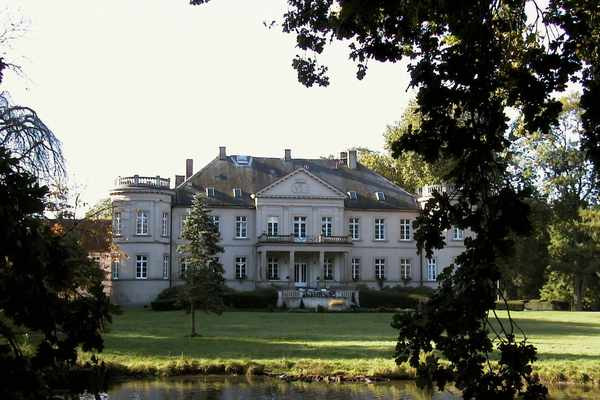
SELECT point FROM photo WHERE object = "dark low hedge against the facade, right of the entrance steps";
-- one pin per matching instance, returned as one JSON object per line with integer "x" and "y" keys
{"x": 390, "y": 298}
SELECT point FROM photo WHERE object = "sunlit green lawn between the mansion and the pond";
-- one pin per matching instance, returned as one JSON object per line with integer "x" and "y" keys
{"x": 144, "y": 341}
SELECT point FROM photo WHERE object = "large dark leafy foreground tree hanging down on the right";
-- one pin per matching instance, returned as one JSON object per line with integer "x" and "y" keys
{"x": 468, "y": 64}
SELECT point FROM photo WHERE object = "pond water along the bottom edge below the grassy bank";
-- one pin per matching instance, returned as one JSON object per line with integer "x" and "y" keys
{"x": 253, "y": 388}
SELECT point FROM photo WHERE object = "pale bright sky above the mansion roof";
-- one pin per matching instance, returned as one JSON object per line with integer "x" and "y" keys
{"x": 137, "y": 86}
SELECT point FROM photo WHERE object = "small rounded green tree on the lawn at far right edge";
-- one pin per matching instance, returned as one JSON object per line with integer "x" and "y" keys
{"x": 575, "y": 250}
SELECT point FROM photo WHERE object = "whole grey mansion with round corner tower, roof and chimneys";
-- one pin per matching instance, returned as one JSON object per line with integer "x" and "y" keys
{"x": 284, "y": 222}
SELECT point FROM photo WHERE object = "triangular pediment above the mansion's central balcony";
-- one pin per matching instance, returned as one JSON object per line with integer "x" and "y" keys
{"x": 301, "y": 184}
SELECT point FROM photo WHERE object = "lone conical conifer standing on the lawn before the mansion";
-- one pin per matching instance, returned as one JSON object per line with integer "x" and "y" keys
{"x": 204, "y": 283}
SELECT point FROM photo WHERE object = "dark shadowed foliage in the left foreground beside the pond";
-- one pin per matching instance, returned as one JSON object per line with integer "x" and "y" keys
{"x": 49, "y": 289}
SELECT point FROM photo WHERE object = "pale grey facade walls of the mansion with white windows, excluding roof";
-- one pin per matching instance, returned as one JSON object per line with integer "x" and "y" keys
{"x": 297, "y": 233}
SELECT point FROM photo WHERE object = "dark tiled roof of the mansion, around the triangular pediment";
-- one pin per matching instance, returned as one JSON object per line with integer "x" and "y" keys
{"x": 224, "y": 175}
